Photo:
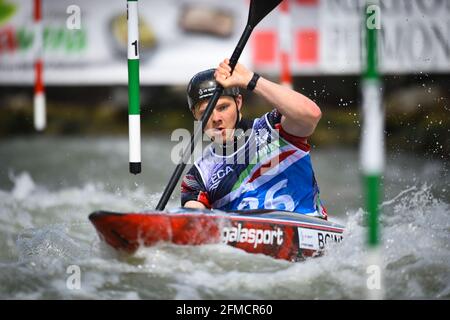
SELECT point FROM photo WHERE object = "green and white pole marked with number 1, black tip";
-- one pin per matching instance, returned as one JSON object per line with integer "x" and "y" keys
{"x": 134, "y": 117}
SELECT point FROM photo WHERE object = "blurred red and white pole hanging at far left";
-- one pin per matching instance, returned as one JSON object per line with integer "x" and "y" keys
{"x": 39, "y": 108}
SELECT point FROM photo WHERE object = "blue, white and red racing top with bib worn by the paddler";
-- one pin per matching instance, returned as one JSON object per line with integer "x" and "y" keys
{"x": 270, "y": 169}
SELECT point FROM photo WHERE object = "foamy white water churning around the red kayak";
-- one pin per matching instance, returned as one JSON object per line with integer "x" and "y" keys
{"x": 48, "y": 230}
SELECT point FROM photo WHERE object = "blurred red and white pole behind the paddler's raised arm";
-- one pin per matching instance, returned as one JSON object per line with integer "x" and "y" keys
{"x": 284, "y": 32}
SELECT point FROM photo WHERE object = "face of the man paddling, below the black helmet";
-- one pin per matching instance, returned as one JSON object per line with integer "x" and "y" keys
{"x": 220, "y": 126}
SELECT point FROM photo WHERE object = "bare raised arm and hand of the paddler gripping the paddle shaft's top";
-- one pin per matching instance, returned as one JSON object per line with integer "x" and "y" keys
{"x": 300, "y": 114}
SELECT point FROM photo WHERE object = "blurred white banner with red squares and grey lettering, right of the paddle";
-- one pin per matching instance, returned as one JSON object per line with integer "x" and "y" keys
{"x": 326, "y": 37}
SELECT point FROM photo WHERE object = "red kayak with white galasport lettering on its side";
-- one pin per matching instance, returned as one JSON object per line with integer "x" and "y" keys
{"x": 279, "y": 234}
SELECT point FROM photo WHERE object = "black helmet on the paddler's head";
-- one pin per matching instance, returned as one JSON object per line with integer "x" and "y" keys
{"x": 202, "y": 86}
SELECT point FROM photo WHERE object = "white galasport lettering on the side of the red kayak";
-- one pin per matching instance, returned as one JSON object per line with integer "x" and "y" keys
{"x": 253, "y": 236}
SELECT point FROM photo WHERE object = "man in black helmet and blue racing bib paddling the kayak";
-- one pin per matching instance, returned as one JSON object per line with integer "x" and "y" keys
{"x": 252, "y": 164}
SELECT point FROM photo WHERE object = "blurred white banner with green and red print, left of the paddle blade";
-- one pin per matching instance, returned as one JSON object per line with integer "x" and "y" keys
{"x": 177, "y": 38}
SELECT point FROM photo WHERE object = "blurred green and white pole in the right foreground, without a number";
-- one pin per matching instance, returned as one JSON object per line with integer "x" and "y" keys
{"x": 372, "y": 147}
